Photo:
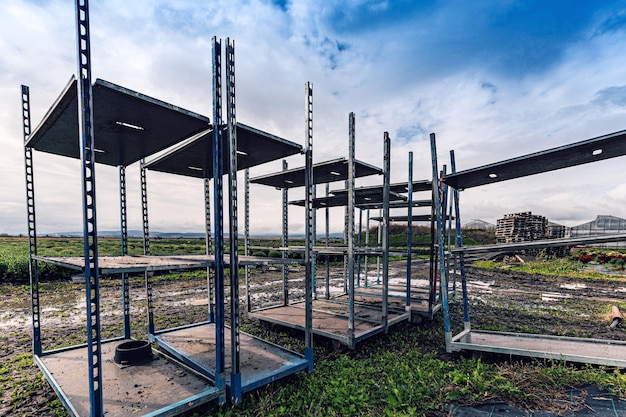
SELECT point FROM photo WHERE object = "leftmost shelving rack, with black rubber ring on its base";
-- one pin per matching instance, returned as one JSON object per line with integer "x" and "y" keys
{"x": 95, "y": 389}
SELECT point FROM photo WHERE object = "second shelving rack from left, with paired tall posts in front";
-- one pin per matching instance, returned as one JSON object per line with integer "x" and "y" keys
{"x": 264, "y": 362}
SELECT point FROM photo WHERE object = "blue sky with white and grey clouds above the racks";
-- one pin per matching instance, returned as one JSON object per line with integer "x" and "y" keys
{"x": 493, "y": 80}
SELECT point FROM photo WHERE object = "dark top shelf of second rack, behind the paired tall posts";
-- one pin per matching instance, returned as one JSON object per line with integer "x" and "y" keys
{"x": 194, "y": 157}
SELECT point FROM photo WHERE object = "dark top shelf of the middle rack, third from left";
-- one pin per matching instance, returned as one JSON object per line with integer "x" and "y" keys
{"x": 323, "y": 172}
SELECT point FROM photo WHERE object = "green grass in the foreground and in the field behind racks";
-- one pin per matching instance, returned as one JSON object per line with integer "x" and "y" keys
{"x": 403, "y": 373}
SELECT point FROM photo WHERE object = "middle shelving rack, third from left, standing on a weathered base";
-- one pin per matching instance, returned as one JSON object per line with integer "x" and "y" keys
{"x": 348, "y": 320}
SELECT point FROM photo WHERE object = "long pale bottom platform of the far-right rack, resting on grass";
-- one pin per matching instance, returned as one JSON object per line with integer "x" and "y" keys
{"x": 572, "y": 349}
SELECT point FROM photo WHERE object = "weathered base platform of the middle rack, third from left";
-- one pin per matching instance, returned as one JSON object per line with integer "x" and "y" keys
{"x": 330, "y": 318}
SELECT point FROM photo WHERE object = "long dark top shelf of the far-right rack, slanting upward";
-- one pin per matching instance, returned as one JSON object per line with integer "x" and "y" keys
{"x": 590, "y": 150}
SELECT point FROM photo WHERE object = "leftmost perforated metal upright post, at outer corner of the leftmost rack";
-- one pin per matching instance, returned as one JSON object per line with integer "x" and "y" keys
{"x": 32, "y": 229}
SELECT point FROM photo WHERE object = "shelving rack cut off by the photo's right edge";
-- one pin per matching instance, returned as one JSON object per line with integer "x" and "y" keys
{"x": 583, "y": 350}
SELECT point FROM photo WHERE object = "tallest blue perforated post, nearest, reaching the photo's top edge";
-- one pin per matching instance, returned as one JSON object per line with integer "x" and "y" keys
{"x": 90, "y": 233}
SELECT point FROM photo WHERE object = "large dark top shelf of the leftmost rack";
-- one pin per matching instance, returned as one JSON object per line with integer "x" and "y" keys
{"x": 128, "y": 126}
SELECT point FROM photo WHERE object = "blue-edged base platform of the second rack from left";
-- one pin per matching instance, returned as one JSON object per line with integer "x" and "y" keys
{"x": 261, "y": 362}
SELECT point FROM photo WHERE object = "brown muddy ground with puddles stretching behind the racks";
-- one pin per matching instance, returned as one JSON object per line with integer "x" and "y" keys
{"x": 499, "y": 300}
